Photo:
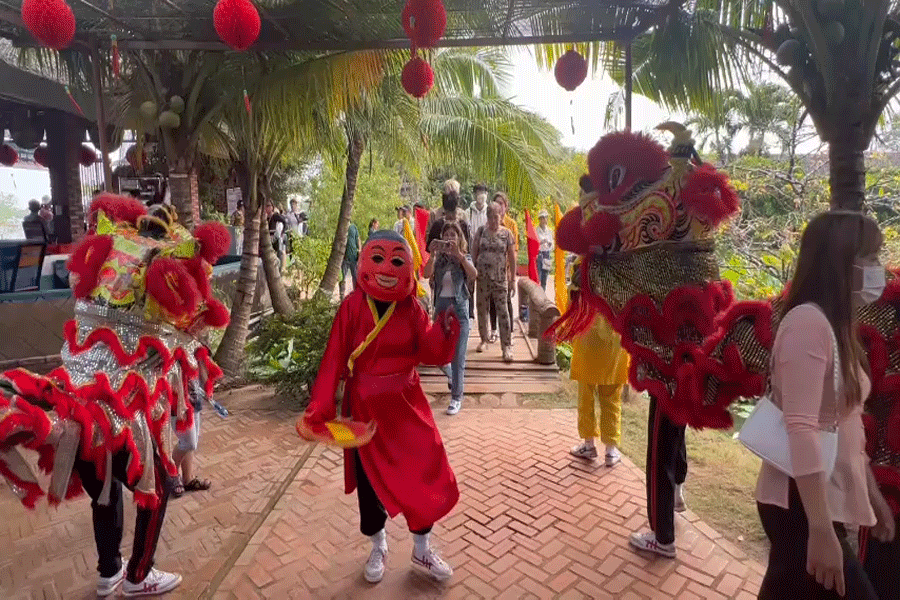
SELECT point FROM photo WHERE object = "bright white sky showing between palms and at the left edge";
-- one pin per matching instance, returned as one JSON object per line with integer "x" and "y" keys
{"x": 531, "y": 88}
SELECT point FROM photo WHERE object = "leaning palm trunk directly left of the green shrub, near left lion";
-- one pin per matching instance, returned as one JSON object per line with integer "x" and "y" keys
{"x": 230, "y": 354}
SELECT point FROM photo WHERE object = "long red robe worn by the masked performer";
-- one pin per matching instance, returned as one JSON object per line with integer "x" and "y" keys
{"x": 405, "y": 461}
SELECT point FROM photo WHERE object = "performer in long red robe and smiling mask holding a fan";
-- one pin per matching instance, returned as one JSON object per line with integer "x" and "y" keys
{"x": 380, "y": 335}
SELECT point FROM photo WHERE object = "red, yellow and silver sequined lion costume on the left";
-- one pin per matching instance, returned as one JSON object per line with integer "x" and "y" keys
{"x": 142, "y": 287}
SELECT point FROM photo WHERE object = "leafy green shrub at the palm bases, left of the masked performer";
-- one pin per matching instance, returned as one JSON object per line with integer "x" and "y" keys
{"x": 288, "y": 350}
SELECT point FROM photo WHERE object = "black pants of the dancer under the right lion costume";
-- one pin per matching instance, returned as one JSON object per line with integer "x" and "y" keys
{"x": 666, "y": 468}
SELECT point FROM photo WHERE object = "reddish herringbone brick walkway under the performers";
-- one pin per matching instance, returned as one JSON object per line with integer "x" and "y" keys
{"x": 532, "y": 523}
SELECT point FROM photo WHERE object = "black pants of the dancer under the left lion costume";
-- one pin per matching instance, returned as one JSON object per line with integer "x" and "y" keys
{"x": 108, "y": 520}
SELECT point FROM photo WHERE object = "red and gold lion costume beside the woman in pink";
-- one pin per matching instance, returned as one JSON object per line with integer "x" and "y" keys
{"x": 644, "y": 225}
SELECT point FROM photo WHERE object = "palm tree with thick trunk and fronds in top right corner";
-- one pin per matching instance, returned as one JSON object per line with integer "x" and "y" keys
{"x": 837, "y": 57}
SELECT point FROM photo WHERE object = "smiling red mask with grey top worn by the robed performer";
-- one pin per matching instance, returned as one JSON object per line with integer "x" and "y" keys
{"x": 385, "y": 267}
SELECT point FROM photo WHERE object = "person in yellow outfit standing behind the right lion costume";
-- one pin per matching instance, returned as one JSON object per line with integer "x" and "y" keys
{"x": 600, "y": 366}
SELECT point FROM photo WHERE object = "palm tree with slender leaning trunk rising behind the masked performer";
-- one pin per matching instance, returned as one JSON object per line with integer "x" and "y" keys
{"x": 463, "y": 121}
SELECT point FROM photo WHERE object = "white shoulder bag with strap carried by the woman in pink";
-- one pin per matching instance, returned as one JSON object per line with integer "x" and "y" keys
{"x": 764, "y": 432}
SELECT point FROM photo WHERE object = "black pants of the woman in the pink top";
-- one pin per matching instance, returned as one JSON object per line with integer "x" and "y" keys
{"x": 786, "y": 576}
